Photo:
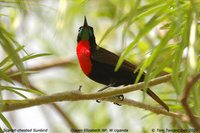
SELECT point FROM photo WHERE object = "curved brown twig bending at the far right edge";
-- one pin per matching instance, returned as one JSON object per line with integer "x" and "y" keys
{"x": 188, "y": 88}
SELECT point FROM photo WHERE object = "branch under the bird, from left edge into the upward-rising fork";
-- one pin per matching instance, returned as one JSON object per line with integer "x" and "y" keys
{"x": 74, "y": 96}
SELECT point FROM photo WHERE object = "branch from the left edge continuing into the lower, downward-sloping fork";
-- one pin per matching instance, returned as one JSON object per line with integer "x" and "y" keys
{"x": 9, "y": 105}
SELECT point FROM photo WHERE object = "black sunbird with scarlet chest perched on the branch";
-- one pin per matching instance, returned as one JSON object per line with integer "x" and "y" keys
{"x": 98, "y": 63}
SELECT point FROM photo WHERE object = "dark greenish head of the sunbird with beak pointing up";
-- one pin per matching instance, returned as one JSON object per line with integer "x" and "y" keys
{"x": 85, "y": 32}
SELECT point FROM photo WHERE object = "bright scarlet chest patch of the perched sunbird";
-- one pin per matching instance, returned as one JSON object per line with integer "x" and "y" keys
{"x": 83, "y": 53}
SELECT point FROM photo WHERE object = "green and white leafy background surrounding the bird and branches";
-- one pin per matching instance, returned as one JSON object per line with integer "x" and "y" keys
{"x": 154, "y": 34}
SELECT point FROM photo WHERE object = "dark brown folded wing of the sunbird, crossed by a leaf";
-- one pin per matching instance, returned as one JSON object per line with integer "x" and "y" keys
{"x": 104, "y": 56}
